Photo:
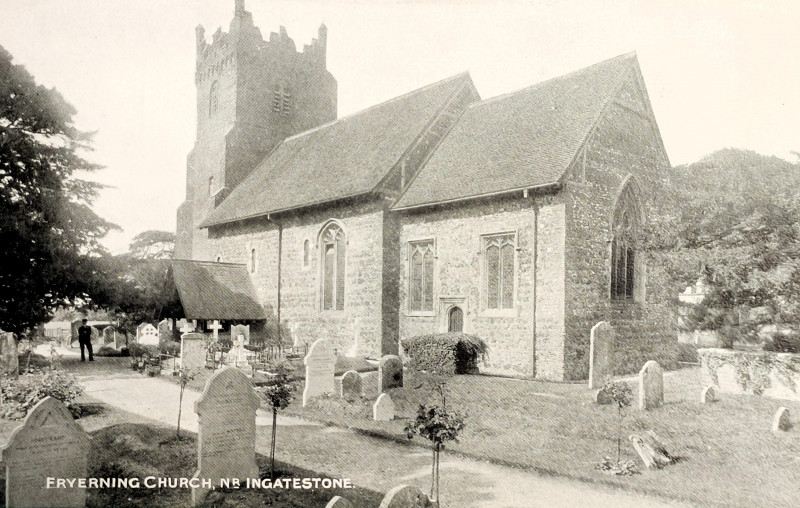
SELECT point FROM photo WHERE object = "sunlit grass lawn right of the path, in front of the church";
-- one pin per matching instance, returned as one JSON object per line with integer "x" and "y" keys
{"x": 728, "y": 455}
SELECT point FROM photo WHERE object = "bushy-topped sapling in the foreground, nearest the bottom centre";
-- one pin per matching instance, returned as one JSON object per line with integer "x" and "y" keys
{"x": 438, "y": 425}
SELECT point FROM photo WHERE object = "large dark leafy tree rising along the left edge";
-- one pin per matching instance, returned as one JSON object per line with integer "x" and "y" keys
{"x": 49, "y": 235}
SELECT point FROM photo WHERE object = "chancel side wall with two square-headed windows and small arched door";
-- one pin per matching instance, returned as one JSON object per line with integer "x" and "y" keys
{"x": 457, "y": 231}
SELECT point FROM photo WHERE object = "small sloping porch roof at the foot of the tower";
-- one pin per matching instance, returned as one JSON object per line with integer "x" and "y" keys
{"x": 216, "y": 291}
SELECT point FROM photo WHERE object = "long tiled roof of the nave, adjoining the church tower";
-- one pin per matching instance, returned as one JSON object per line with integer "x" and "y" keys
{"x": 342, "y": 159}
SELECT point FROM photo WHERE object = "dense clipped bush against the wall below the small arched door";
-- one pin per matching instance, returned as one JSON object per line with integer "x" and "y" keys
{"x": 445, "y": 353}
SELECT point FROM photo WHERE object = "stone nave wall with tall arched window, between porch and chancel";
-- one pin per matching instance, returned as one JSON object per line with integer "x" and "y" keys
{"x": 301, "y": 312}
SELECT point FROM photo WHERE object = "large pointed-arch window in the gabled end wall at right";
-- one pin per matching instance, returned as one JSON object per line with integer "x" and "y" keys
{"x": 625, "y": 227}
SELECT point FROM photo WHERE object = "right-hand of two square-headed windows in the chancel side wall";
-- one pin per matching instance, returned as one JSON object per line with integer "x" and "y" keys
{"x": 498, "y": 271}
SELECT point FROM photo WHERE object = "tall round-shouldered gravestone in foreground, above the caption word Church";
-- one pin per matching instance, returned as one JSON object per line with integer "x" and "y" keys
{"x": 226, "y": 441}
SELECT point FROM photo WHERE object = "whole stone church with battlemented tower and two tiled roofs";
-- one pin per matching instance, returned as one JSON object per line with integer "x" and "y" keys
{"x": 515, "y": 218}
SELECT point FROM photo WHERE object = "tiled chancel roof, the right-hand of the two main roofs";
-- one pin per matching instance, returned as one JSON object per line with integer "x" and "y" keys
{"x": 520, "y": 140}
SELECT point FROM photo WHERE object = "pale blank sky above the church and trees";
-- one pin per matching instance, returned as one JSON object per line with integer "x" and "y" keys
{"x": 719, "y": 73}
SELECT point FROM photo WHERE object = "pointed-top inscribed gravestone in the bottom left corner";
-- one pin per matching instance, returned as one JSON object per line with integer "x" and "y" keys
{"x": 48, "y": 444}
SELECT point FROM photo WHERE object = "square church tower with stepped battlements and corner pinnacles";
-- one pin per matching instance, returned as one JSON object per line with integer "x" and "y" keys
{"x": 251, "y": 95}
